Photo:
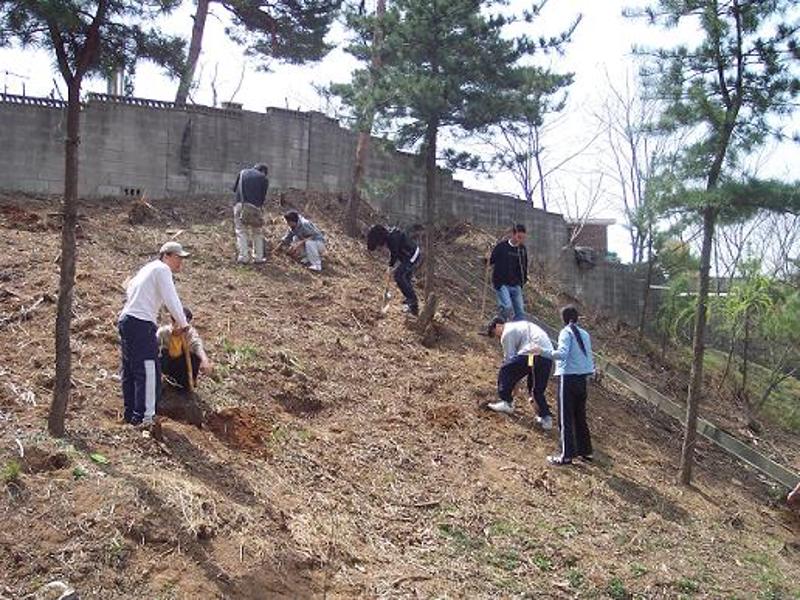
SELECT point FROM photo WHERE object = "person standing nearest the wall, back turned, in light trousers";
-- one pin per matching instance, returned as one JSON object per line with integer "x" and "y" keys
{"x": 251, "y": 188}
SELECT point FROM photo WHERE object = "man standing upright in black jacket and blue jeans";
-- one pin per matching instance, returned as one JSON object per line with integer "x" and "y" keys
{"x": 509, "y": 260}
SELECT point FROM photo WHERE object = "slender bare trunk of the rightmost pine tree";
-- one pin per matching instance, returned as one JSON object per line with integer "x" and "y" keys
{"x": 698, "y": 349}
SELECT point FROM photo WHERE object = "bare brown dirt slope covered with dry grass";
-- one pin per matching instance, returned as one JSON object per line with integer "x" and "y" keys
{"x": 340, "y": 458}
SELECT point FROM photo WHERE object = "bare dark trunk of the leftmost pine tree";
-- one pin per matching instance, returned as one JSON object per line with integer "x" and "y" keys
{"x": 63, "y": 379}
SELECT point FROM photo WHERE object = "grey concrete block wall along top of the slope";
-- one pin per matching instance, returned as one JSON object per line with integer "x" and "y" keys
{"x": 133, "y": 146}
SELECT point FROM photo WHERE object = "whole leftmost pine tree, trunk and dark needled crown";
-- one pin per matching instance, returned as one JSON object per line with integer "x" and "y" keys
{"x": 86, "y": 37}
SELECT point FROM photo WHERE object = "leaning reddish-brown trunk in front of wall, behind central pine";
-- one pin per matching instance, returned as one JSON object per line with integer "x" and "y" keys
{"x": 365, "y": 129}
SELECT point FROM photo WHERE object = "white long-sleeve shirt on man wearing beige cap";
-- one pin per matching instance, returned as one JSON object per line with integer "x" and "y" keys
{"x": 150, "y": 289}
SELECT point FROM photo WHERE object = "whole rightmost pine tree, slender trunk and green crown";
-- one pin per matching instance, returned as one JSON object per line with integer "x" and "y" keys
{"x": 727, "y": 94}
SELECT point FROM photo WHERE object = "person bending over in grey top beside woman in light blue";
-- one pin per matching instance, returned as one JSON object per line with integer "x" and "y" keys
{"x": 518, "y": 338}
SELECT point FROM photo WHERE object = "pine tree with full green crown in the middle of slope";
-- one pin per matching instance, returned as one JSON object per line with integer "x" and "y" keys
{"x": 447, "y": 65}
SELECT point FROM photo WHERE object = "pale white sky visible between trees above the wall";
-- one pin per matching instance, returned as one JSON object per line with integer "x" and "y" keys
{"x": 600, "y": 51}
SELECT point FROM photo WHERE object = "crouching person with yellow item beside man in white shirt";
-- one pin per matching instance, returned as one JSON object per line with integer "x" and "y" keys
{"x": 173, "y": 361}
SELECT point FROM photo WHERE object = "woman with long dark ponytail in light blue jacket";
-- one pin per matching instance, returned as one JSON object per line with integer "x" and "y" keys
{"x": 574, "y": 364}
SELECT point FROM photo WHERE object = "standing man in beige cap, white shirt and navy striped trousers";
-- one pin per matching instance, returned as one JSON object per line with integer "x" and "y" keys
{"x": 147, "y": 291}
